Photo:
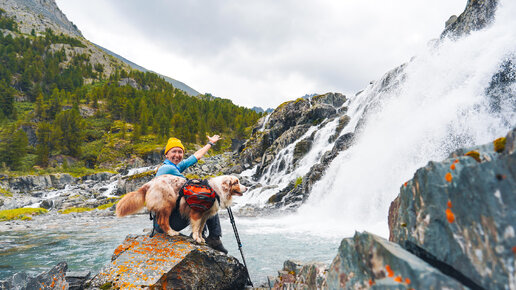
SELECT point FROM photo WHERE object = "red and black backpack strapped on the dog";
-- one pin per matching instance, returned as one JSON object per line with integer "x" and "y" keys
{"x": 198, "y": 194}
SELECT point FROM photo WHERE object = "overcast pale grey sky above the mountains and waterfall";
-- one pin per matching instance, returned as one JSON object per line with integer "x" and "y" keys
{"x": 262, "y": 53}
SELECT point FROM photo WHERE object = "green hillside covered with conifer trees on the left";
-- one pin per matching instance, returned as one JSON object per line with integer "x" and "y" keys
{"x": 61, "y": 113}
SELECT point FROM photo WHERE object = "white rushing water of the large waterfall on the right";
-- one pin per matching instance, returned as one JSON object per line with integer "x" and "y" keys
{"x": 441, "y": 105}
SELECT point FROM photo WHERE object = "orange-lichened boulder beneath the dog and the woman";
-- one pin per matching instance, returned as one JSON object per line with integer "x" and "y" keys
{"x": 171, "y": 263}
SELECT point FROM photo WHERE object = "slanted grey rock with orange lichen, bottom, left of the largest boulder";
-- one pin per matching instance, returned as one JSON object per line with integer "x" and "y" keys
{"x": 367, "y": 260}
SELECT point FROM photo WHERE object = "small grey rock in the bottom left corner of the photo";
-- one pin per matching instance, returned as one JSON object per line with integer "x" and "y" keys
{"x": 53, "y": 279}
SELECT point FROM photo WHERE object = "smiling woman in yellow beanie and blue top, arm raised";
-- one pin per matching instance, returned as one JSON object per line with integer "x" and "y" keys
{"x": 175, "y": 165}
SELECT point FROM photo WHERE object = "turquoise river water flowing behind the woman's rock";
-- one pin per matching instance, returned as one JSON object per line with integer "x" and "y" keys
{"x": 87, "y": 246}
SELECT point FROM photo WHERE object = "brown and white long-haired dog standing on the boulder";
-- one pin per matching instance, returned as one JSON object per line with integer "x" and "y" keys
{"x": 161, "y": 193}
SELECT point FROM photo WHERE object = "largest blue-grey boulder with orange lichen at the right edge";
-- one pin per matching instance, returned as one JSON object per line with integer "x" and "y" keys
{"x": 461, "y": 214}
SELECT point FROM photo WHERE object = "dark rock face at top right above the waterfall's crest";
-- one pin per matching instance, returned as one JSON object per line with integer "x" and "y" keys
{"x": 477, "y": 15}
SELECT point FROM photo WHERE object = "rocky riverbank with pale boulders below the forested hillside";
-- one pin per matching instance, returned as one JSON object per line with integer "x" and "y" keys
{"x": 97, "y": 192}
